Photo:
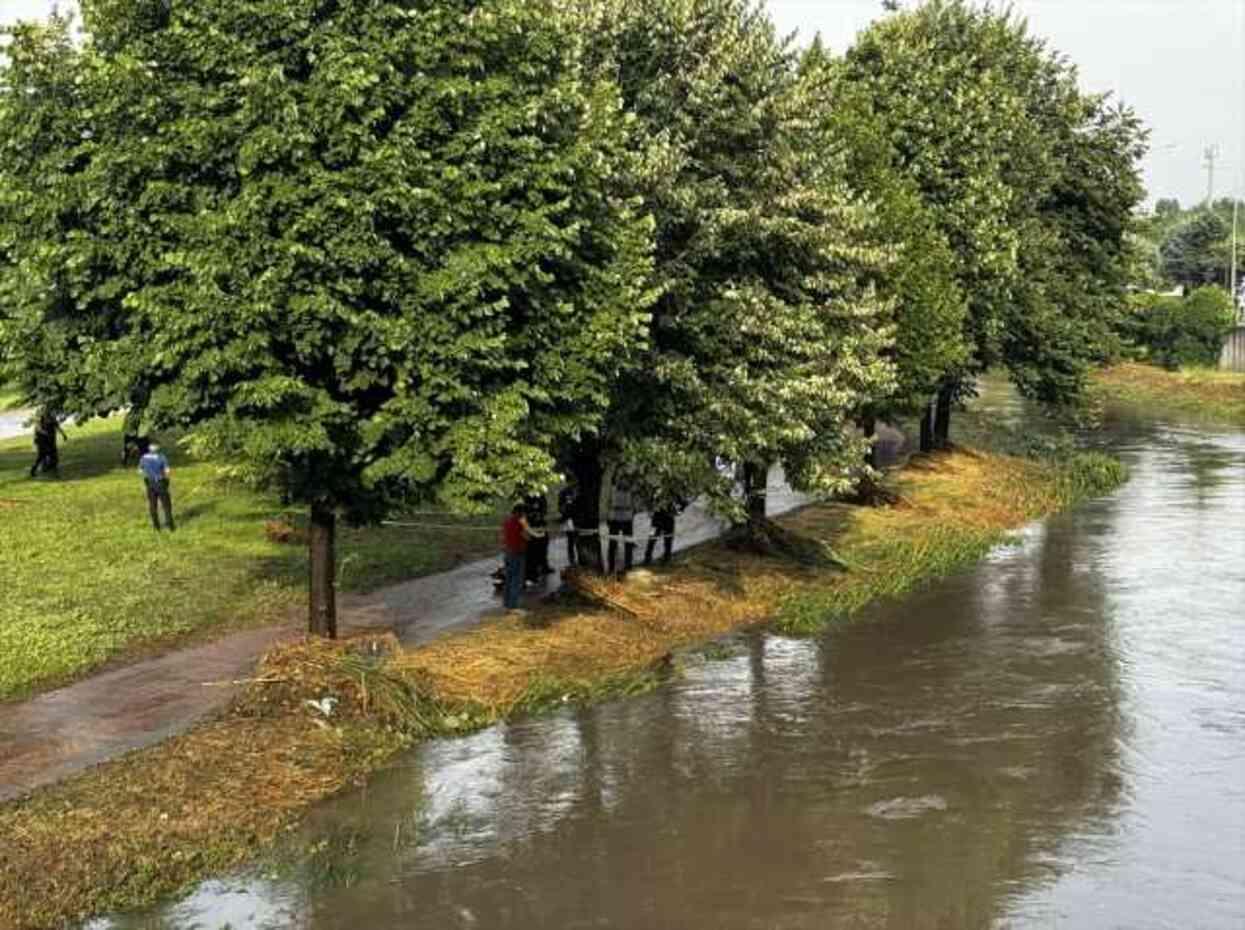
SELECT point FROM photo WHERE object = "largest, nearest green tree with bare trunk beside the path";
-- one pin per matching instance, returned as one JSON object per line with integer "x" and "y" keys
{"x": 389, "y": 260}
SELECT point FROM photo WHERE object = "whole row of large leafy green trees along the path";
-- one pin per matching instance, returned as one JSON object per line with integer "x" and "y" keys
{"x": 382, "y": 252}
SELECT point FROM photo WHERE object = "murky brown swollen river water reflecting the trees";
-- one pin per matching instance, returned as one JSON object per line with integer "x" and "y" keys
{"x": 1055, "y": 739}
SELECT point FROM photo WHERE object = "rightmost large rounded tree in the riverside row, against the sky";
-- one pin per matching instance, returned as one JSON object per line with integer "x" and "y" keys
{"x": 1023, "y": 175}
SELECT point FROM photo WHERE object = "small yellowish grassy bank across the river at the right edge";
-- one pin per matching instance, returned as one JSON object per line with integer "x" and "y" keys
{"x": 1202, "y": 395}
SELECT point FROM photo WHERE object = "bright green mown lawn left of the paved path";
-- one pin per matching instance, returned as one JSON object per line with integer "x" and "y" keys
{"x": 87, "y": 581}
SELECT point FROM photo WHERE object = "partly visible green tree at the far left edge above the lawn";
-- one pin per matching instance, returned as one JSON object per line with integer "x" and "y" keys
{"x": 55, "y": 296}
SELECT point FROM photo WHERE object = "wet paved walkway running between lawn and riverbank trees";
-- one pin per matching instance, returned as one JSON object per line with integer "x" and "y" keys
{"x": 55, "y": 735}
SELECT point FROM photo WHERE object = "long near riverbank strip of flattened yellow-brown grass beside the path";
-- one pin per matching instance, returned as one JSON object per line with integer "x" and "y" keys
{"x": 149, "y": 825}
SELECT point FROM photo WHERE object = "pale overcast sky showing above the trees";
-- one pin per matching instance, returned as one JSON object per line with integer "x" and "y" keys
{"x": 1181, "y": 64}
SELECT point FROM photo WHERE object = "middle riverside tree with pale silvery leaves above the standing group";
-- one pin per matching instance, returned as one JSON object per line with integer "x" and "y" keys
{"x": 768, "y": 336}
